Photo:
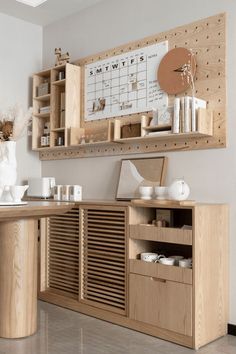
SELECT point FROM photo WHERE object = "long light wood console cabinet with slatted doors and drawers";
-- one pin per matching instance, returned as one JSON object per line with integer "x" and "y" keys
{"x": 90, "y": 262}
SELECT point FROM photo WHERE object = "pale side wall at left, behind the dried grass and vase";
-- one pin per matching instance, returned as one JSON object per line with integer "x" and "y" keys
{"x": 21, "y": 55}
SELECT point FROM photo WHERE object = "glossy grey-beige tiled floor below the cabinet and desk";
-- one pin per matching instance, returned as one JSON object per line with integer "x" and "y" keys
{"x": 66, "y": 332}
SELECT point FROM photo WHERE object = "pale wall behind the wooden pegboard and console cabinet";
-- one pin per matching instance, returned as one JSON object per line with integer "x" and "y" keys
{"x": 210, "y": 173}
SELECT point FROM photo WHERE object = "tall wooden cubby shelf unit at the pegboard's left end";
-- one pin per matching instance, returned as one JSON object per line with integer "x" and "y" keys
{"x": 70, "y": 86}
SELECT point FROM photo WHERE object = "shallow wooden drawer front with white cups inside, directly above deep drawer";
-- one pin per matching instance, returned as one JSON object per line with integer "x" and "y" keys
{"x": 157, "y": 270}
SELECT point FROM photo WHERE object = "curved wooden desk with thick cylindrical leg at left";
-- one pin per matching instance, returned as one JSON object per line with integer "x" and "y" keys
{"x": 18, "y": 265}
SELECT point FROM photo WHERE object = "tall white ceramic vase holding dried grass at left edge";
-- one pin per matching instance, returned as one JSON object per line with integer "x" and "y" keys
{"x": 8, "y": 172}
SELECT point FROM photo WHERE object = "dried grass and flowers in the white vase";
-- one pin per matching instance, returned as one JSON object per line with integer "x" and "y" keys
{"x": 13, "y": 123}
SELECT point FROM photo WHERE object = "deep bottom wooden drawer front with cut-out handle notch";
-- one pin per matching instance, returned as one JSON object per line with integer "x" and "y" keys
{"x": 161, "y": 303}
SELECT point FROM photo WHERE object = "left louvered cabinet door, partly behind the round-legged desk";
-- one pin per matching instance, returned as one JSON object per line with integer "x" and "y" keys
{"x": 63, "y": 253}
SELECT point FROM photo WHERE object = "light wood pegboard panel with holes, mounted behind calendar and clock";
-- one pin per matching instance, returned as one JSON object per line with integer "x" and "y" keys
{"x": 207, "y": 39}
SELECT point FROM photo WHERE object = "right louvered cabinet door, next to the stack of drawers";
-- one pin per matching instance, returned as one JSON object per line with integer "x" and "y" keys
{"x": 104, "y": 258}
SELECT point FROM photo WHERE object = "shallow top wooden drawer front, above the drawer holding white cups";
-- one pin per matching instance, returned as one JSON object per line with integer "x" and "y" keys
{"x": 161, "y": 234}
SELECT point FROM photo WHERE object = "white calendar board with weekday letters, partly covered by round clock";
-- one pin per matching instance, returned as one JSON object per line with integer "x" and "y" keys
{"x": 124, "y": 84}
